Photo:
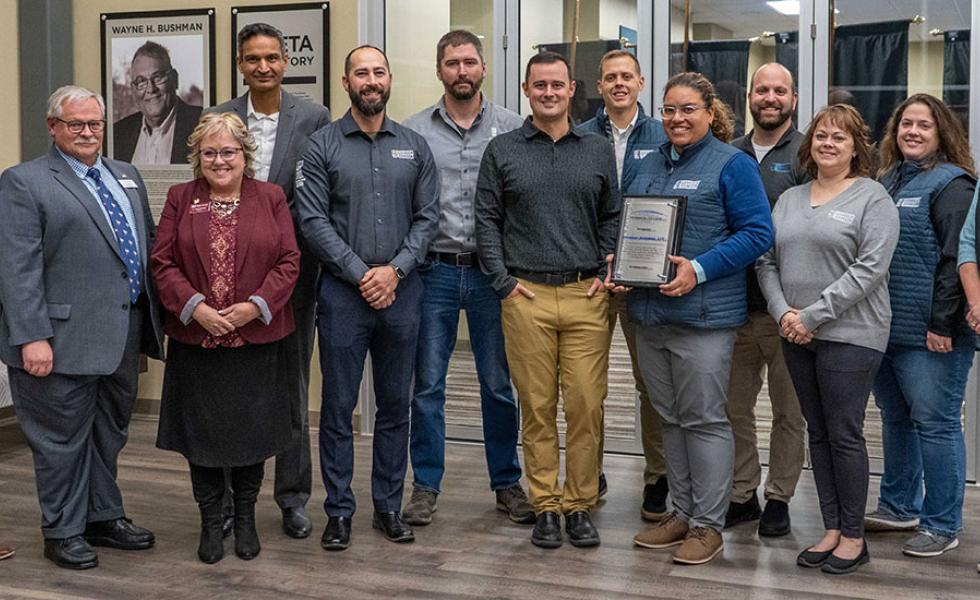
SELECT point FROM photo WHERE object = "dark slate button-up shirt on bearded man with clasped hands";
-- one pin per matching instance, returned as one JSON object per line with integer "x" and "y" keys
{"x": 365, "y": 201}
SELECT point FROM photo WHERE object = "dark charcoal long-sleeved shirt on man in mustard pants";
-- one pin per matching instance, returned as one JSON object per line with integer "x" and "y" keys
{"x": 544, "y": 205}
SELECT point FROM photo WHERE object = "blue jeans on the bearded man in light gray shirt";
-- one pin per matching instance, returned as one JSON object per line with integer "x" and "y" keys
{"x": 449, "y": 289}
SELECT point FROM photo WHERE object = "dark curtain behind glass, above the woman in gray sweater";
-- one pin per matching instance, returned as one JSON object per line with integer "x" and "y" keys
{"x": 871, "y": 65}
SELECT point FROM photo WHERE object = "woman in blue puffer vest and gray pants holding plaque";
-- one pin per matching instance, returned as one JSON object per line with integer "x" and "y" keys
{"x": 686, "y": 328}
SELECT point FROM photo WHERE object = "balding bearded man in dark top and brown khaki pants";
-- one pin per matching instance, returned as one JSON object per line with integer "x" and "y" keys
{"x": 775, "y": 143}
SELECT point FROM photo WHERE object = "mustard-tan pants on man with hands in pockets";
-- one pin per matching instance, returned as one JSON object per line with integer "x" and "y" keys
{"x": 559, "y": 337}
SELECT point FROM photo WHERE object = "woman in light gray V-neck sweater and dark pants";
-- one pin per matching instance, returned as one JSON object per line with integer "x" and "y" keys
{"x": 825, "y": 283}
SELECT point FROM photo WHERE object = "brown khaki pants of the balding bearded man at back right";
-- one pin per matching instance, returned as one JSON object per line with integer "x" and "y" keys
{"x": 758, "y": 345}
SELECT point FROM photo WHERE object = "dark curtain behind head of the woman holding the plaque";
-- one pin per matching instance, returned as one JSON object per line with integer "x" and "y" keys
{"x": 726, "y": 64}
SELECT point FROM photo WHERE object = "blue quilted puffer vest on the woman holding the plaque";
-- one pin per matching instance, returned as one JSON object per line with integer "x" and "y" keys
{"x": 715, "y": 304}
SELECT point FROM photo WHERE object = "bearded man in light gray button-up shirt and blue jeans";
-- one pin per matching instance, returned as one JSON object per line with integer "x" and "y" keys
{"x": 458, "y": 128}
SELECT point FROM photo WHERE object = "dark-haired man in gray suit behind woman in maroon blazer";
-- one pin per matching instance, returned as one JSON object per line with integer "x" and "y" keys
{"x": 281, "y": 124}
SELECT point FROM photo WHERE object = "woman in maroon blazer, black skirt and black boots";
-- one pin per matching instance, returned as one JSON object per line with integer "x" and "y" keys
{"x": 225, "y": 263}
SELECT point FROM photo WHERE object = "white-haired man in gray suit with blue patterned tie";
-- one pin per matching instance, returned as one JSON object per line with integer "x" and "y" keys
{"x": 78, "y": 309}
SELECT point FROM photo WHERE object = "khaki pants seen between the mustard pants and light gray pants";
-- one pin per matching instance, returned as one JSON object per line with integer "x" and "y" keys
{"x": 651, "y": 425}
